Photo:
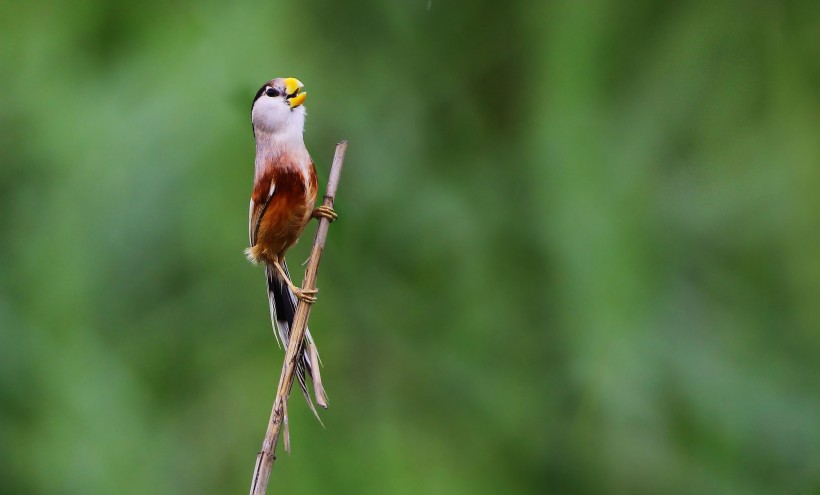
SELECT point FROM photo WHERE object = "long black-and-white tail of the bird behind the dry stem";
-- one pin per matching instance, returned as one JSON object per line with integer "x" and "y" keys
{"x": 282, "y": 309}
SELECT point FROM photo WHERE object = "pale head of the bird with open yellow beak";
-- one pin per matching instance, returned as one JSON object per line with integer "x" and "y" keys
{"x": 277, "y": 106}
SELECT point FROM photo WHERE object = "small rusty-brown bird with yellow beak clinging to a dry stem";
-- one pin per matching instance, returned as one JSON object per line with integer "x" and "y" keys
{"x": 282, "y": 204}
